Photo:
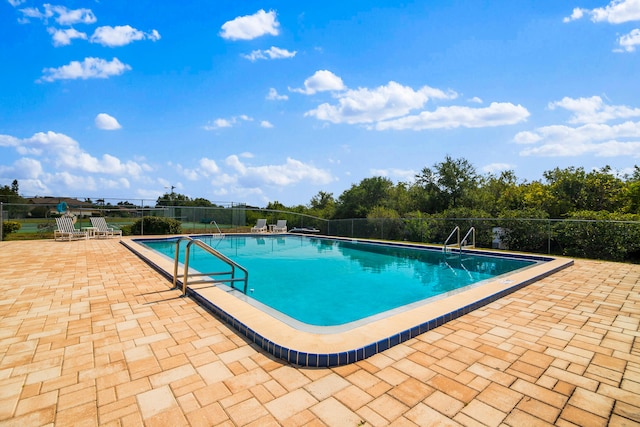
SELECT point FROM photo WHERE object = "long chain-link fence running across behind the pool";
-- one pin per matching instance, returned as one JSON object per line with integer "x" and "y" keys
{"x": 607, "y": 240}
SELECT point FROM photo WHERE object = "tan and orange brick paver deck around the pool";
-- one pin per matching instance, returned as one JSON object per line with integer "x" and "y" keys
{"x": 90, "y": 335}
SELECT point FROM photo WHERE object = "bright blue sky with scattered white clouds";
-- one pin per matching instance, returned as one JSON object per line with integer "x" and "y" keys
{"x": 277, "y": 100}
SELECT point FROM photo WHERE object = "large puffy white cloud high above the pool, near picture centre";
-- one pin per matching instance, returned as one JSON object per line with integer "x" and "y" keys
{"x": 370, "y": 105}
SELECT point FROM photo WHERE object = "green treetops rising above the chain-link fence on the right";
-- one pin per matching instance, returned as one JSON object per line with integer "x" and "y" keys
{"x": 454, "y": 186}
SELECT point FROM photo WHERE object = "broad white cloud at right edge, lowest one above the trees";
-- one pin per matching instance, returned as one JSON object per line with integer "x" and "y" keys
{"x": 598, "y": 139}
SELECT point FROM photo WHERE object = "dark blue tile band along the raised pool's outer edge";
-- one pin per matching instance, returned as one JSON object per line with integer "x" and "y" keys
{"x": 327, "y": 360}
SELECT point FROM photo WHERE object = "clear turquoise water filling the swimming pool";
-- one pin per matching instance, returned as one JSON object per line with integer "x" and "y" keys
{"x": 328, "y": 282}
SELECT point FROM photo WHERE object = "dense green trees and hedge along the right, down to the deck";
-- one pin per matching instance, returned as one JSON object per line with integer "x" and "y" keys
{"x": 602, "y": 208}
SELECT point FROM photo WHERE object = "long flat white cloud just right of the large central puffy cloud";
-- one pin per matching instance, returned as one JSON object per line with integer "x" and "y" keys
{"x": 496, "y": 114}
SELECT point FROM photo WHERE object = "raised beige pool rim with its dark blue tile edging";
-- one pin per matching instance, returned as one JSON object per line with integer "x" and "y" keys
{"x": 335, "y": 349}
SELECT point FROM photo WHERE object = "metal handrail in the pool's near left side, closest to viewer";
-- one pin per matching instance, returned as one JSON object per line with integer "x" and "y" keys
{"x": 234, "y": 265}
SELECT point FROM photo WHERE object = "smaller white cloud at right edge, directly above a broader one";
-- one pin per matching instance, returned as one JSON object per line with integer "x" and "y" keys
{"x": 594, "y": 110}
